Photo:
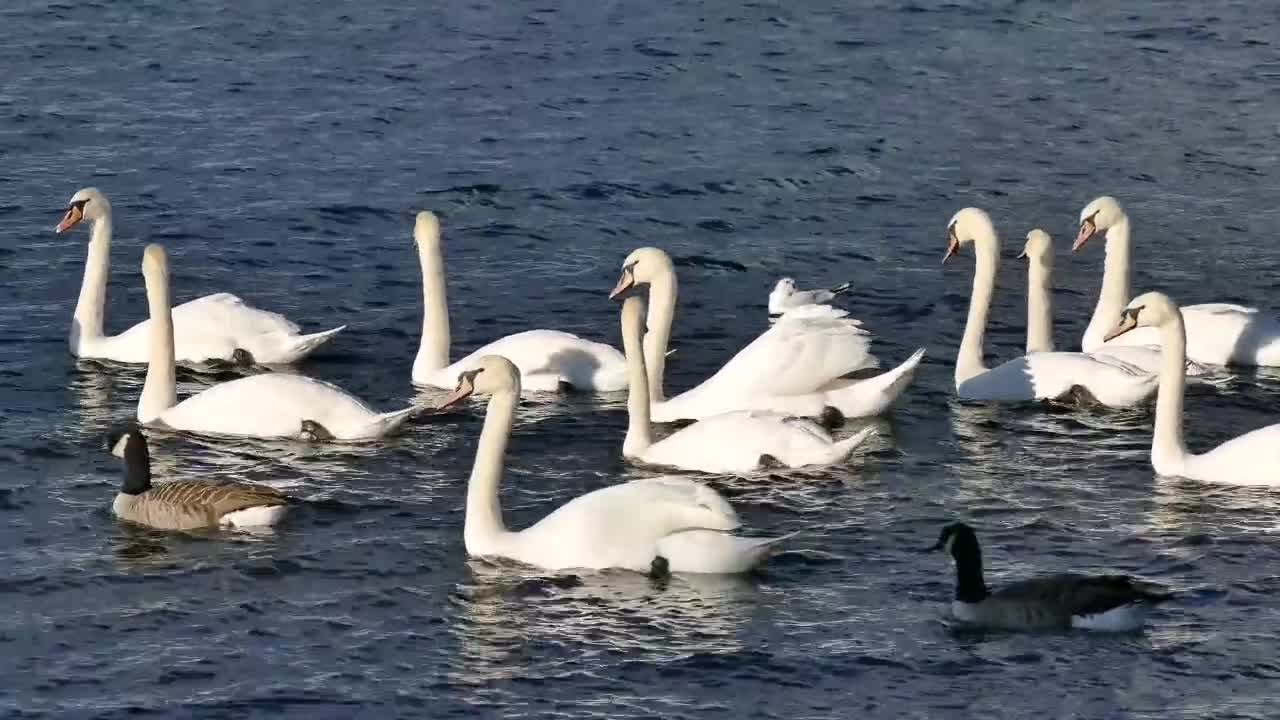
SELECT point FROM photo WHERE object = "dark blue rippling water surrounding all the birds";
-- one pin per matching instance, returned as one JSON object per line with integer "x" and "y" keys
{"x": 280, "y": 152}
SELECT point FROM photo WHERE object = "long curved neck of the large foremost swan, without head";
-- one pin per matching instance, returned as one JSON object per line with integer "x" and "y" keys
{"x": 483, "y": 527}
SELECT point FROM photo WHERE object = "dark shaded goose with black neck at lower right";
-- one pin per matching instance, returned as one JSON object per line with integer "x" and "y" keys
{"x": 1052, "y": 603}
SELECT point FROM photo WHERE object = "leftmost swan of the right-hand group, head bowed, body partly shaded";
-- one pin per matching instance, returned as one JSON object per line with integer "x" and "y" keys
{"x": 1040, "y": 376}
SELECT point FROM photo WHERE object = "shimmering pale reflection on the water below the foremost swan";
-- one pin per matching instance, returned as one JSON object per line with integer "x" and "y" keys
{"x": 509, "y": 609}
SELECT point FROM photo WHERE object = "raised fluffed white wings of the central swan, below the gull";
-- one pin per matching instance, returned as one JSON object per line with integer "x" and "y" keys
{"x": 803, "y": 352}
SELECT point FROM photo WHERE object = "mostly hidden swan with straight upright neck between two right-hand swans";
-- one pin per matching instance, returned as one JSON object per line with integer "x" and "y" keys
{"x": 1040, "y": 315}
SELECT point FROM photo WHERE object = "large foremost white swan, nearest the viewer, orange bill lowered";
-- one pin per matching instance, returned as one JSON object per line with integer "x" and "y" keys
{"x": 666, "y": 523}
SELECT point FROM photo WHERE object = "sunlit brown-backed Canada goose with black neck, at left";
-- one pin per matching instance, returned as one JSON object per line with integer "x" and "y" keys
{"x": 186, "y": 505}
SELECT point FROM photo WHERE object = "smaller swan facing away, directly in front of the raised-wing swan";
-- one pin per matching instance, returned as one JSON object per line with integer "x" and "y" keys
{"x": 733, "y": 443}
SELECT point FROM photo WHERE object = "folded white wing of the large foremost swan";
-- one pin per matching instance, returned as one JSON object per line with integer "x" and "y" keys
{"x": 620, "y": 526}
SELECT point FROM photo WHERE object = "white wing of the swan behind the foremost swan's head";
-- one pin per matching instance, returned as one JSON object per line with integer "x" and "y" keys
{"x": 546, "y": 359}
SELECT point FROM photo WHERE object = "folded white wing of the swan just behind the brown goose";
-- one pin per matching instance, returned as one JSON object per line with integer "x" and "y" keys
{"x": 273, "y": 405}
